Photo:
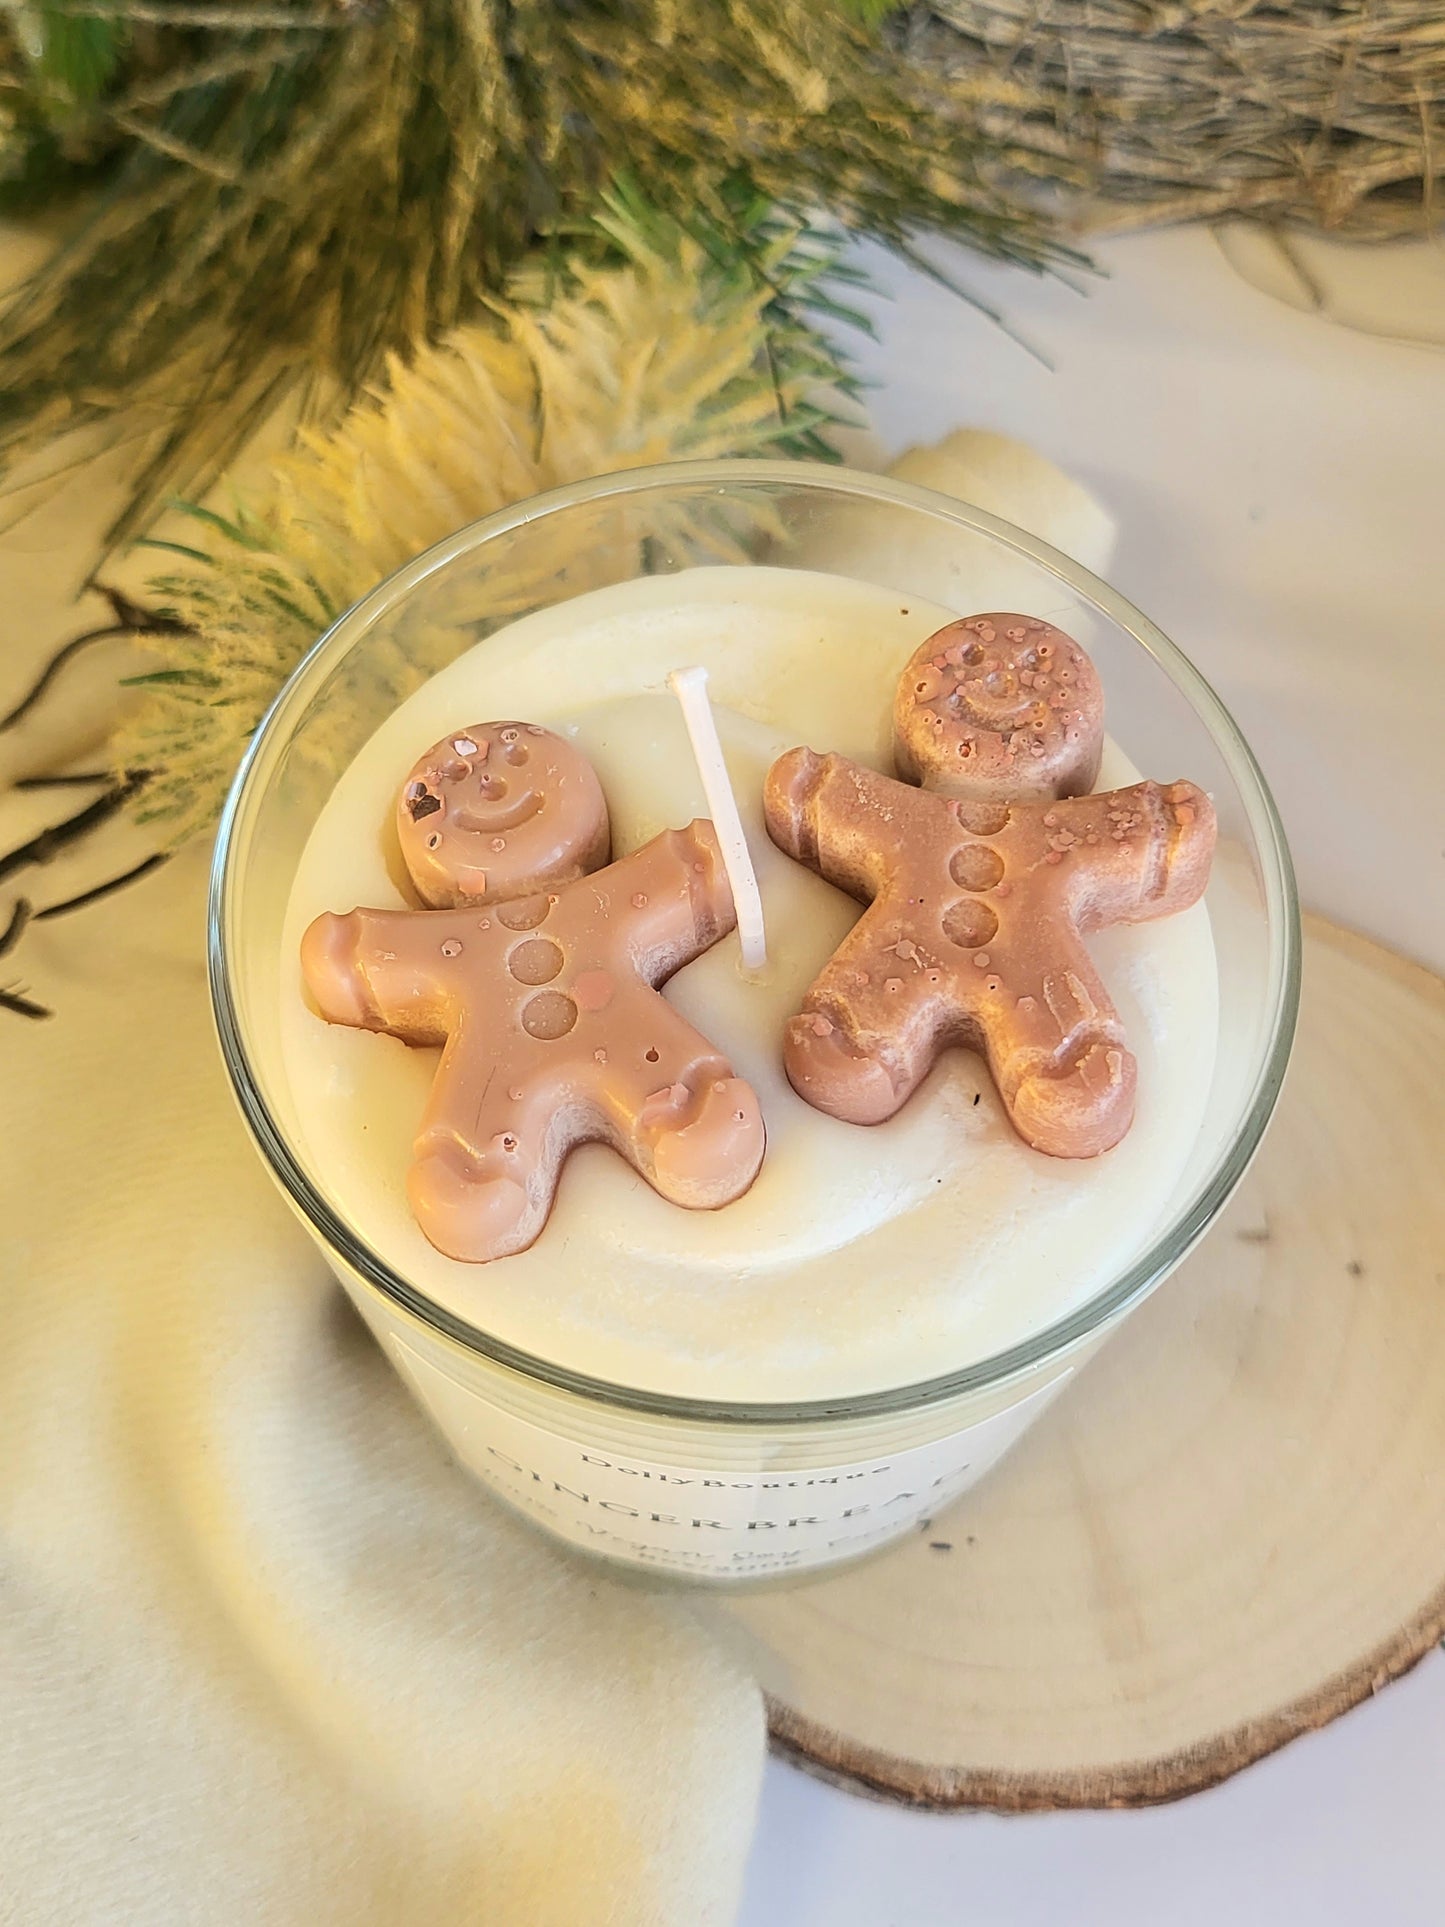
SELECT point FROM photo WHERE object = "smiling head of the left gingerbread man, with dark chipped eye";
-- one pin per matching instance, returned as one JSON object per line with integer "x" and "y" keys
{"x": 500, "y": 808}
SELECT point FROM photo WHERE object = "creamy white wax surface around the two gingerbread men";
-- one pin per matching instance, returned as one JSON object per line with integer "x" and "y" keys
{"x": 862, "y": 1257}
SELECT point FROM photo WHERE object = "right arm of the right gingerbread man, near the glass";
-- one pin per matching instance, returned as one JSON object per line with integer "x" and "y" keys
{"x": 1132, "y": 855}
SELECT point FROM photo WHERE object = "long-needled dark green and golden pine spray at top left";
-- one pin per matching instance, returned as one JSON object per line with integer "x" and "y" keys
{"x": 307, "y": 190}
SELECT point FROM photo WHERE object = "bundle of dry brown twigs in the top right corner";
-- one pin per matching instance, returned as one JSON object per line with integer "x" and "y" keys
{"x": 1327, "y": 113}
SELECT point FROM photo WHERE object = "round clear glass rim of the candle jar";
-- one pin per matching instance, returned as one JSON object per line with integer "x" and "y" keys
{"x": 985, "y": 1375}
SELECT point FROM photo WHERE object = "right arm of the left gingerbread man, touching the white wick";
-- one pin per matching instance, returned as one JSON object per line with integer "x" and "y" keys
{"x": 671, "y": 899}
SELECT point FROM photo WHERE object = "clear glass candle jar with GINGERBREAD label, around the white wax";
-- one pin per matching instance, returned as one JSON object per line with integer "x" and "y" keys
{"x": 727, "y": 1492}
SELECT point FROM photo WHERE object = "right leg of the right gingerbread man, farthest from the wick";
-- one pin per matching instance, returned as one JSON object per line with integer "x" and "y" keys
{"x": 1061, "y": 1061}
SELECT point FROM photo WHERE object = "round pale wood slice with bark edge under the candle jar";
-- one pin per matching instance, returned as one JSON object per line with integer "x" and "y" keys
{"x": 1230, "y": 1529}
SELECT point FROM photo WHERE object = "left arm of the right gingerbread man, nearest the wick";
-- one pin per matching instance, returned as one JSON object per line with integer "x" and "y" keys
{"x": 841, "y": 818}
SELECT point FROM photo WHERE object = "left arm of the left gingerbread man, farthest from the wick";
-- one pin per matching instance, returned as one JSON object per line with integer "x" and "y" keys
{"x": 382, "y": 970}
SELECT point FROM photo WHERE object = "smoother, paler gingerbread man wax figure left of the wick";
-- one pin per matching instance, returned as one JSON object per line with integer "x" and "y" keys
{"x": 537, "y": 972}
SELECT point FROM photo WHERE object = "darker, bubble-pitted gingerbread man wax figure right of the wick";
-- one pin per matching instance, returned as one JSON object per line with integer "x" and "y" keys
{"x": 984, "y": 876}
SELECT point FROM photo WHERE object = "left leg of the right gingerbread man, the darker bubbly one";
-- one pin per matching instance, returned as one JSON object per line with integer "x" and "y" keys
{"x": 864, "y": 1040}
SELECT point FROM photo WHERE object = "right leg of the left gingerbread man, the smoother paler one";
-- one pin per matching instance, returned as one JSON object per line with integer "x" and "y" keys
{"x": 677, "y": 1111}
